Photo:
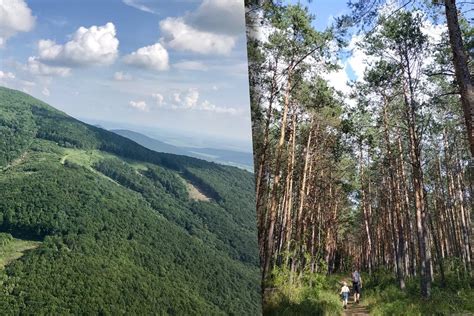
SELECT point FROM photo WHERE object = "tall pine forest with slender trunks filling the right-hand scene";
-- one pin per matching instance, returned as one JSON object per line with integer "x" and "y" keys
{"x": 376, "y": 177}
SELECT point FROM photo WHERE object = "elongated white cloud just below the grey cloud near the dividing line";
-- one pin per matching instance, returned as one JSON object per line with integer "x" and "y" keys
{"x": 181, "y": 36}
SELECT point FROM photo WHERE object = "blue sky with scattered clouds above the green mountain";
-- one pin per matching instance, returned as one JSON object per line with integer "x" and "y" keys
{"x": 167, "y": 65}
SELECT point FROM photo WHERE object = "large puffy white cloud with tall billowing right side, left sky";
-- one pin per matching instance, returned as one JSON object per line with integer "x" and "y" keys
{"x": 97, "y": 45}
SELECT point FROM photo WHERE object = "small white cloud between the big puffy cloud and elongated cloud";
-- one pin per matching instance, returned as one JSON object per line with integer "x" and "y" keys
{"x": 154, "y": 57}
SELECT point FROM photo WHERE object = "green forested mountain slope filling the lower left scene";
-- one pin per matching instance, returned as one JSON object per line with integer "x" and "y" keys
{"x": 107, "y": 226}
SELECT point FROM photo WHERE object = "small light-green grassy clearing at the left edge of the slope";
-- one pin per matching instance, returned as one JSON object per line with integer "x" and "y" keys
{"x": 13, "y": 248}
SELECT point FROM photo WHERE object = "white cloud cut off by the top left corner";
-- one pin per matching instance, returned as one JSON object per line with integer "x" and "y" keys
{"x": 15, "y": 17}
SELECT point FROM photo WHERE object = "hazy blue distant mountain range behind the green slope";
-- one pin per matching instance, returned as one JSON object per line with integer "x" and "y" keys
{"x": 229, "y": 157}
